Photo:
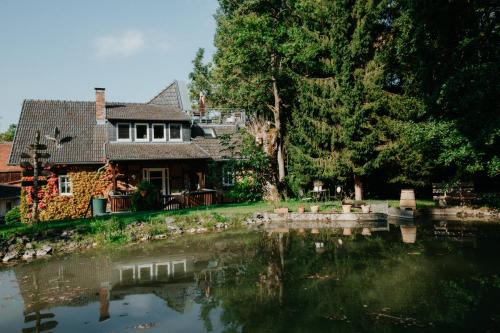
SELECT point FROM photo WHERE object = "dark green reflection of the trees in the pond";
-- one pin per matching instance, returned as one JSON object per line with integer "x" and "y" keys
{"x": 355, "y": 285}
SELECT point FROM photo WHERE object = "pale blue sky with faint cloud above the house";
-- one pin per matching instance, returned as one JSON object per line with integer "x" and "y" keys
{"x": 60, "y": 49}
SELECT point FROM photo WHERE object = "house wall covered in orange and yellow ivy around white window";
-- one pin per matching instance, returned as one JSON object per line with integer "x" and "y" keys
{"x": 85, "y": 181}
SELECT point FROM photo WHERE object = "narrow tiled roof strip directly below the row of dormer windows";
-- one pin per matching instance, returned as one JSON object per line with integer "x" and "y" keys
{"x": 154, "y": 151}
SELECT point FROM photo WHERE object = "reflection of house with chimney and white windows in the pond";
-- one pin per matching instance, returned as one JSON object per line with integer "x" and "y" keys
{"x": 77, "y": 281}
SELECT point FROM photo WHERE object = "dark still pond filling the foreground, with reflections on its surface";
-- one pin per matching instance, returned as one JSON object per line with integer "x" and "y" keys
{"x": 256, "y": 281}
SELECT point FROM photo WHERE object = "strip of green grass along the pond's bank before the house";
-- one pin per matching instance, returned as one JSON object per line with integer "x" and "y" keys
{"x": 107, "y": 225}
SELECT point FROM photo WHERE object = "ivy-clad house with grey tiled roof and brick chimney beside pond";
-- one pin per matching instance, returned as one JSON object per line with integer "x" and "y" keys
{"x": 106, "y": 148}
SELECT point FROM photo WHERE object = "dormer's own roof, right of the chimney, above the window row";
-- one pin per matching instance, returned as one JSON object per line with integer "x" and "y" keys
{"x": 137, "y": 111}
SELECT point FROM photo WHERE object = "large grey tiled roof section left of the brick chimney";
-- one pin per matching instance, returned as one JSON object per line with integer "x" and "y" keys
{"x": 74, "y": 119}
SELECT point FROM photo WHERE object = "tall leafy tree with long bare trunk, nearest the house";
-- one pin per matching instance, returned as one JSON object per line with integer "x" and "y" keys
{"x": 251, "y": 64}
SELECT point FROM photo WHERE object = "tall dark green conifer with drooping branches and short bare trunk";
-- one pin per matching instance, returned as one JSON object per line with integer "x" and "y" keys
{"x": 345, "y": 115}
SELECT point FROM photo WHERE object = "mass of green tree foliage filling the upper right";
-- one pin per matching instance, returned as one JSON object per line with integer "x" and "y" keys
{"x": 401, "y": 92}
